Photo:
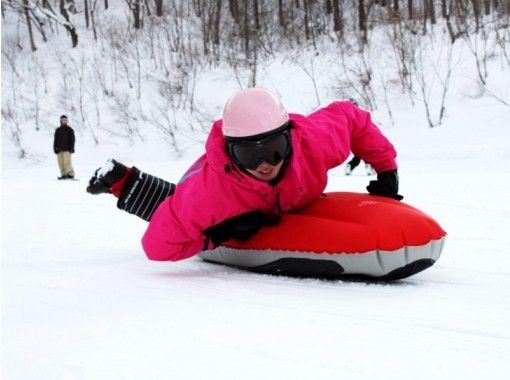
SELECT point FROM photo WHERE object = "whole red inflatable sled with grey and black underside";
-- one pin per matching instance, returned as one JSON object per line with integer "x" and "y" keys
{"x": 341, "y": 235}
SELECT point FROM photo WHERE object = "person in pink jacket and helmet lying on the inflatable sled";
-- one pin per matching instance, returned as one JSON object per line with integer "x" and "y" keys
{"x": 260, "y": 162}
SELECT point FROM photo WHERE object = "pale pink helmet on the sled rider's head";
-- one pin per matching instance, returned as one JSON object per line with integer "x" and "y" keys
{"x": 251, "y": 112}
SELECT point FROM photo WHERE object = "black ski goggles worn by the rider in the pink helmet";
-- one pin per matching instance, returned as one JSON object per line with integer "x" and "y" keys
{"x": 249, "y": 154}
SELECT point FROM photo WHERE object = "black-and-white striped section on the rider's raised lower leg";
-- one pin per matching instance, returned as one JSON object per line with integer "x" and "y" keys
{"x": 143, "y": 193}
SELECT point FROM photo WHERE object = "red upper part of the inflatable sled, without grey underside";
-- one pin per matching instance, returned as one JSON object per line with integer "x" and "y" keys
{"x": 347, "y": 223}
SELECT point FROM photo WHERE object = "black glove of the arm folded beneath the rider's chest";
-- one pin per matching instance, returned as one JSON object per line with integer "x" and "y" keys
{"x": 241, "y": 227}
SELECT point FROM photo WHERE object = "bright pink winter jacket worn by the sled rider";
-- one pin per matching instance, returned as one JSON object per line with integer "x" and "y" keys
{"x": 213, "y": 189}
